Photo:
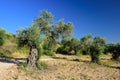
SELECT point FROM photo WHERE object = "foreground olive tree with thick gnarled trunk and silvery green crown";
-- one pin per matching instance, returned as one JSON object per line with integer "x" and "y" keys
{"x": 30, "y": 37}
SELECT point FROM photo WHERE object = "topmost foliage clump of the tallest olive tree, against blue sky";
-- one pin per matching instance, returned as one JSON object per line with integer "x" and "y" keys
{"x": 44, "y": 22}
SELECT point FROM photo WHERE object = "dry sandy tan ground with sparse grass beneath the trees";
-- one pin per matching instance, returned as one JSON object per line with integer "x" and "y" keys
{"x": 63, "y": 67}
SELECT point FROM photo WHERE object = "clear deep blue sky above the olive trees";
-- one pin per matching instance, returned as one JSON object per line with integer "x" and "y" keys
{"x": 95, "y": 17}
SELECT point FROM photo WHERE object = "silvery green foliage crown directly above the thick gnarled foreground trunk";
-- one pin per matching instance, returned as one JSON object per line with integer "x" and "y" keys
{"x": 29, "y": 36}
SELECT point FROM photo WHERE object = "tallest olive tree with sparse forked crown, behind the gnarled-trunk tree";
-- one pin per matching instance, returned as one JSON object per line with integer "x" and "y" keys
{"x": 51, "y": 31}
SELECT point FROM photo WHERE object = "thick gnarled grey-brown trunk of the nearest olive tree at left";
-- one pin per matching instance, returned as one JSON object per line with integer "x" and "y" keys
{"x": 32, "y": 58}
